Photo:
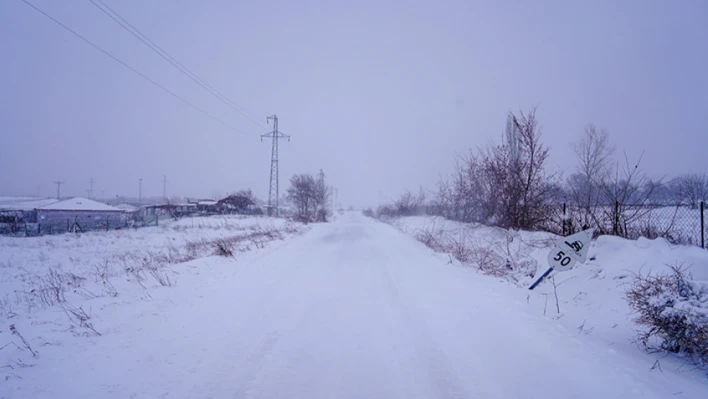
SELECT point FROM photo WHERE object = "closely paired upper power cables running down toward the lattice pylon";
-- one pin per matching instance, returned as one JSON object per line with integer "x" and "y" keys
{"x": 169, "y": 58}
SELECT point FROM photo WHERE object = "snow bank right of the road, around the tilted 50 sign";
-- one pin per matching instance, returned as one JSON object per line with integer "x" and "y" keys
{"x": 591, "y": 297}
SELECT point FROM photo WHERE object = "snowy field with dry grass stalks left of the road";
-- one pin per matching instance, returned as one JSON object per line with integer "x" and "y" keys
{"x": 53, "y": 288}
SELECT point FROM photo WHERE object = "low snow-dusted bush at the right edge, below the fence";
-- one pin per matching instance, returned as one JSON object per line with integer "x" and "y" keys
{"x": 673, "y": 309}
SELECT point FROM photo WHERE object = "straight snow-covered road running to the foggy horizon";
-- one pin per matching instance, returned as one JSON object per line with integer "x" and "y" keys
{"x": 352, "y": 309}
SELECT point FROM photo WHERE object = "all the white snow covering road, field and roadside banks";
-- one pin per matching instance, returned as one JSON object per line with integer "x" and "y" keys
{"x": 350, "y": 309}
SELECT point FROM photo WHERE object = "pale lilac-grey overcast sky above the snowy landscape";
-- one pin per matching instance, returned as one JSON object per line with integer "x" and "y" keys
{"x": 383, "y": 95}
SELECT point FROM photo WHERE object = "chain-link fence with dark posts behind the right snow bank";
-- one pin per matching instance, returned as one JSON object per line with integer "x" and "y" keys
{"x": 679, "y": 224}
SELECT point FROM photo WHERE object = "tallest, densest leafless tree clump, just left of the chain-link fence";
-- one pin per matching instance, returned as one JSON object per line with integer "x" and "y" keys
{"x": 506, "y": 184}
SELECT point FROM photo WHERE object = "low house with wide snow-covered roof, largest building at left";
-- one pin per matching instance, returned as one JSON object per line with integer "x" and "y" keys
{"x": 78, "y": 214}
